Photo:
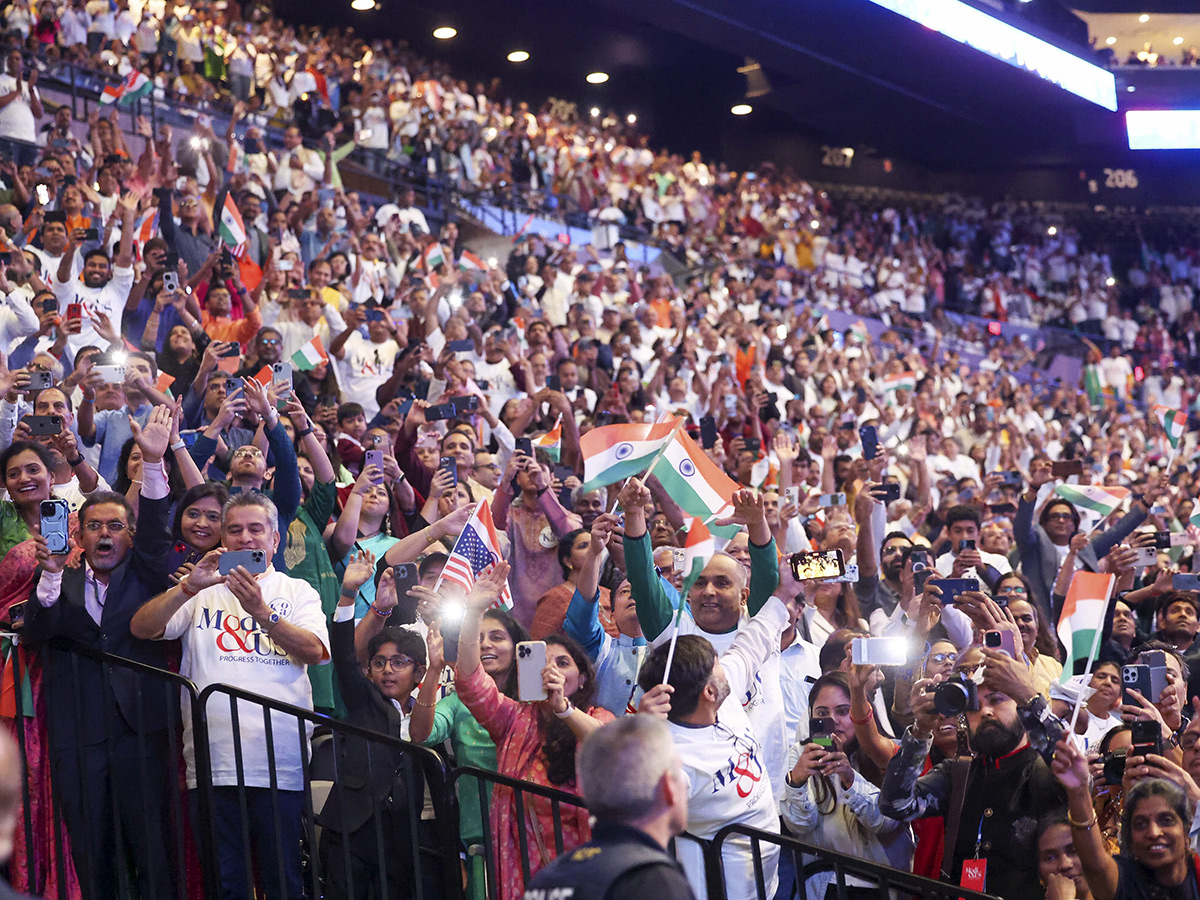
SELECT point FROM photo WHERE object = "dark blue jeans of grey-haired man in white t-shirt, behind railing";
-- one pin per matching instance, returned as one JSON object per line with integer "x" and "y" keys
{"x": 227, "y": 826}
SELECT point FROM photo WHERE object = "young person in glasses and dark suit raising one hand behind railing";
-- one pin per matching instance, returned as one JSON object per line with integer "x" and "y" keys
{"x": 367, "y": 820}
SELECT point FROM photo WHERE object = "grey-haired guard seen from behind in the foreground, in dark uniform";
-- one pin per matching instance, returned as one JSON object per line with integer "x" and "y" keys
{"x": 632, "y": 778}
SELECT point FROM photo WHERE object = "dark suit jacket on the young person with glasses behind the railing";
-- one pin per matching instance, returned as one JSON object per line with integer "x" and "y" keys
{"x": 368, "y": 773}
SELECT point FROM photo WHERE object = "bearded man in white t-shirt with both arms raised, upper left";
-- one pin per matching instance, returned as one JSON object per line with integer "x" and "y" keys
{"x": 105, "y": 289}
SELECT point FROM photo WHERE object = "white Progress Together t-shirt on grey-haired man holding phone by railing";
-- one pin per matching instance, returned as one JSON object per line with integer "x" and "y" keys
{"x": 223, "y": 645}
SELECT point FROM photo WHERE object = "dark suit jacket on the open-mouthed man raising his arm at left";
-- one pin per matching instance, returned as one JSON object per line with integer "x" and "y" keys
{"x": 79, "y": 706}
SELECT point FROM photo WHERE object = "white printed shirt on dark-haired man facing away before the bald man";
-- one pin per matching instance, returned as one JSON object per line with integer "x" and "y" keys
{"x": 728, "y": 775}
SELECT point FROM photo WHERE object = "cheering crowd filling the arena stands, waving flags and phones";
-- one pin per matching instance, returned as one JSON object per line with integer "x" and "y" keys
{"x": 892, "y": 589}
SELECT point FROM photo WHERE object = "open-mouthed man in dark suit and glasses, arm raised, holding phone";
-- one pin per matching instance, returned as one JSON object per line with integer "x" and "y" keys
{"x": 109, "y": 727}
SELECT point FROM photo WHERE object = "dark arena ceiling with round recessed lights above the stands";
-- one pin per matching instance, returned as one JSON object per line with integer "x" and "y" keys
{"x": 844, "y": 73}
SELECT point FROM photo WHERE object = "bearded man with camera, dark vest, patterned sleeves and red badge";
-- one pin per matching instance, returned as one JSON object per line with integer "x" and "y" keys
{"x": 1009, "y": 785}
